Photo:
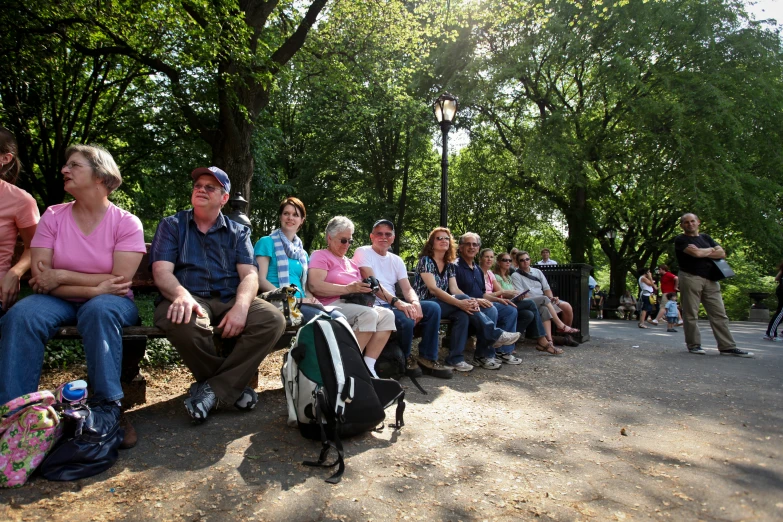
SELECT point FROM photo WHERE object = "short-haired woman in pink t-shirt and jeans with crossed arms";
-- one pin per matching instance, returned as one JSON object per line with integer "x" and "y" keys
{"x": 84, "y": 256}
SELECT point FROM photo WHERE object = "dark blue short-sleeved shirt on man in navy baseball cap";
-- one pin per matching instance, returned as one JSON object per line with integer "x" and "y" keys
{"x": 205, "y": 264}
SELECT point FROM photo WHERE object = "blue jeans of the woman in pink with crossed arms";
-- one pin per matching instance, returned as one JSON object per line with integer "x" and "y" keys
{"x": 30, "y": 323}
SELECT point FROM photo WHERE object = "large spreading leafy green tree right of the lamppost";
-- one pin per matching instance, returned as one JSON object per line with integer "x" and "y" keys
{"x": 622, "y": 116}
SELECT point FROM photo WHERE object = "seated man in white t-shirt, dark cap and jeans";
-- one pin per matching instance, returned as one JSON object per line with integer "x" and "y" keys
{"x": 376, "y": 260}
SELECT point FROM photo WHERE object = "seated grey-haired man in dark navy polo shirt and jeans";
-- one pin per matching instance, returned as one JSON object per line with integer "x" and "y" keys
{"x": 470, "y": 280}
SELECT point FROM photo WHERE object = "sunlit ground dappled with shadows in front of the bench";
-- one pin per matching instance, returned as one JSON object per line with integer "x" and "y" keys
{"x": 610, "y": 431}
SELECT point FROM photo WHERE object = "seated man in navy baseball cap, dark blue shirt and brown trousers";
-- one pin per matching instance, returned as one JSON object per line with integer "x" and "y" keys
{"x": 204, "y": 267}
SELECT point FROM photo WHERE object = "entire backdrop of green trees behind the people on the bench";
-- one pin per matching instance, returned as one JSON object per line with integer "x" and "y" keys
{"x": 578, "y": 117}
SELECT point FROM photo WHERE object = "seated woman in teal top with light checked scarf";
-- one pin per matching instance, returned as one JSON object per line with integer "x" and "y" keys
{"x": 282, "y": 259}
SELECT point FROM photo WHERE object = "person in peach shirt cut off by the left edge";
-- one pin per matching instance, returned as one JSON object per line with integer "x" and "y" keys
{"x": 18, "y": 217}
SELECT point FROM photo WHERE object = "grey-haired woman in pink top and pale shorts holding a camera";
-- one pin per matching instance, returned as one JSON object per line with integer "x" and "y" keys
{"x": 332, "y": 275}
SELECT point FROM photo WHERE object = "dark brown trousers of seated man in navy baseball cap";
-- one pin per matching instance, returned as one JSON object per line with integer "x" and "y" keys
{"x": 227, "y": 376}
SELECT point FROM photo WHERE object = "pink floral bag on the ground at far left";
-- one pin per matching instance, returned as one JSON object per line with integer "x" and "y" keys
{"x": 26, "y": 436}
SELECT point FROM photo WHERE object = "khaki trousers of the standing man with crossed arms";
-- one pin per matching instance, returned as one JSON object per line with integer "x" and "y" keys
{"x": 694, "y": 290}
